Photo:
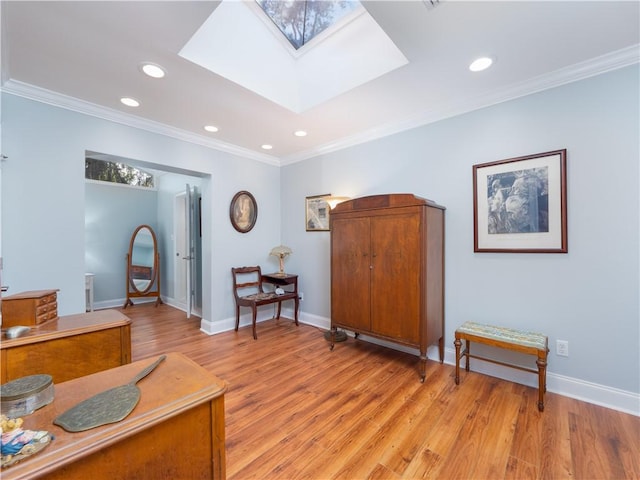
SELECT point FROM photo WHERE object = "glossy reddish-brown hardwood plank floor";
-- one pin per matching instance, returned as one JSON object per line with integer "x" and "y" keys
{"x": 295, "y": 409}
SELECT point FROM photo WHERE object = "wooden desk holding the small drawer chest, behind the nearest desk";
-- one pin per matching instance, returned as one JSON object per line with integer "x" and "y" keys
{"x": 69, "y": 347}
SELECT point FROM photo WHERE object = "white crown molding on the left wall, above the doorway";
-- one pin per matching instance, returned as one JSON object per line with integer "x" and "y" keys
{"x": 49, "y": 97}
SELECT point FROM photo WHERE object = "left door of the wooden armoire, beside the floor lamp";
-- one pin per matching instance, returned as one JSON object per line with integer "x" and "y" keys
{"x": 350, "y": 272}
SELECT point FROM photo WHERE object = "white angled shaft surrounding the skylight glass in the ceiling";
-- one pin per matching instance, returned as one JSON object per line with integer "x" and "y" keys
{"x": 240, "y": 43}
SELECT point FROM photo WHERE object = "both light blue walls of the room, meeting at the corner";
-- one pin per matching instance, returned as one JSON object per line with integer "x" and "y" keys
{"x": 589, "y": 296}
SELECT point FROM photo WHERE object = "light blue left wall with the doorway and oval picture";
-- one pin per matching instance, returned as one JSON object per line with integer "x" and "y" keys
{"x": 43, "y": 201}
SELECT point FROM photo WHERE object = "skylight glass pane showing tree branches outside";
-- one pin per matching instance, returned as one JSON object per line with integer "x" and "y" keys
{"x": 301, "y": 21}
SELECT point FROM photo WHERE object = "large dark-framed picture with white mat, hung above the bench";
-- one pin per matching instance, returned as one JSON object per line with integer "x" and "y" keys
{"x": 520, "y": 204}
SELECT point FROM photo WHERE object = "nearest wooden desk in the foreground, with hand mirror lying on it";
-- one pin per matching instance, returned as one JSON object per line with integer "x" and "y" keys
{"x": 176, "y": 431}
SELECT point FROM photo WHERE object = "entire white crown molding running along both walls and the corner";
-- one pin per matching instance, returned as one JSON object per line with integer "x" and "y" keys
{"x": 612, "y": 61}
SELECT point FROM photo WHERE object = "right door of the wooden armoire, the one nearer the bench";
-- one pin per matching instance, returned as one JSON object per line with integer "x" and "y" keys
{"x": 395, "y": 275}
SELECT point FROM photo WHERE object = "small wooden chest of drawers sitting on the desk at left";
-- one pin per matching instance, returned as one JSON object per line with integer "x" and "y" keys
{"x": 29, "y": 308}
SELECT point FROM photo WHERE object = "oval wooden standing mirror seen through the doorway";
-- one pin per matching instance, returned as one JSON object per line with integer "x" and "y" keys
{"x": 143, "y": 265}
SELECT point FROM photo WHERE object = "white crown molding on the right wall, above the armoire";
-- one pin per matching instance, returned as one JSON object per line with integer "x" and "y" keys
{"x": 612, "y": 61}
